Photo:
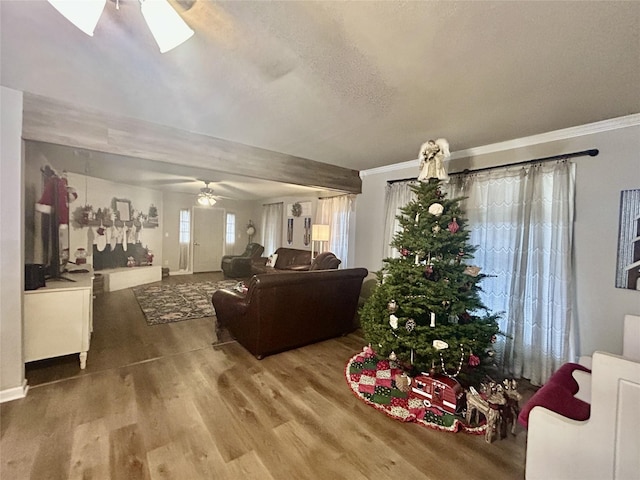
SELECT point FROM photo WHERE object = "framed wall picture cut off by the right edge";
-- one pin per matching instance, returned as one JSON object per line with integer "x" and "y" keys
{"x": 628, "y": 264}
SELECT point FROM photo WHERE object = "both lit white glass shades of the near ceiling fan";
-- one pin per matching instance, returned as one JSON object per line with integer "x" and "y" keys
{"x": 167, "y": 27}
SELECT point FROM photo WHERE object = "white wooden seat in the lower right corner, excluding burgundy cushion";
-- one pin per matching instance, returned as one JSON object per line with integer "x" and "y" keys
{"x": 607, "y": 444}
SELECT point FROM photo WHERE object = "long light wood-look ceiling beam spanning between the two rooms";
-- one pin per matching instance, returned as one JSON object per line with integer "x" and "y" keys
{"x": 54, "y": 121}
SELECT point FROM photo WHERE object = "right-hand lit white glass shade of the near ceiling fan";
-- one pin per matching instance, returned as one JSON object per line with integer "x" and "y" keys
{"x": 167, "y": 27}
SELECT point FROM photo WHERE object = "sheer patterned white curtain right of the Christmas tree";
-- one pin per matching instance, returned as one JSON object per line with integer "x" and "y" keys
{"x": 521, "y": 219}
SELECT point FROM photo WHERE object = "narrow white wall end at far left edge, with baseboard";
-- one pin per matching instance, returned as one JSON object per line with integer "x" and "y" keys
{"x": 12, "y": 380}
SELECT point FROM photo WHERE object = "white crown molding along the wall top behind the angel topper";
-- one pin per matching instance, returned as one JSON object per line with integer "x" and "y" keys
{"x": 563, "y": 134}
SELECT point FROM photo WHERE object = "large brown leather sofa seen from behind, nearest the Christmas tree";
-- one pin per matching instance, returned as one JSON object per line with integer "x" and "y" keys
{"x": 288, "y": 310}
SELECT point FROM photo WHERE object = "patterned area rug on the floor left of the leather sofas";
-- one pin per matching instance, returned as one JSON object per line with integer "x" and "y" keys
{"x": 178, "y": 302}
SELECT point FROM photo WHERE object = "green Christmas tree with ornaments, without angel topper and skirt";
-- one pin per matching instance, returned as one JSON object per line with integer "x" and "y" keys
{"x": 426, "y": 311}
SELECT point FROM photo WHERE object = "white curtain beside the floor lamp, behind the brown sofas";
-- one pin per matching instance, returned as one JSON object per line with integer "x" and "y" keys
{"x": 336, "y": 212}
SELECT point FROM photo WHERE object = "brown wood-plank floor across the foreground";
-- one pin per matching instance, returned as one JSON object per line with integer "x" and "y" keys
{"x": 162, "y": 403}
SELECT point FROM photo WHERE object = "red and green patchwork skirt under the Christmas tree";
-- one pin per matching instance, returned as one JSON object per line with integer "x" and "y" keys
{"x": 372, "y": 380}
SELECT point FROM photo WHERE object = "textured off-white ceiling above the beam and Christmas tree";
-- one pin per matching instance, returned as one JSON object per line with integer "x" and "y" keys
{"x": 356, "y": 84}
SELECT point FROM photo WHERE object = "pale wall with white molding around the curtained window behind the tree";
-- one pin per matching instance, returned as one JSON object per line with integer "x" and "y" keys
{"x": 600, "y": 306}
